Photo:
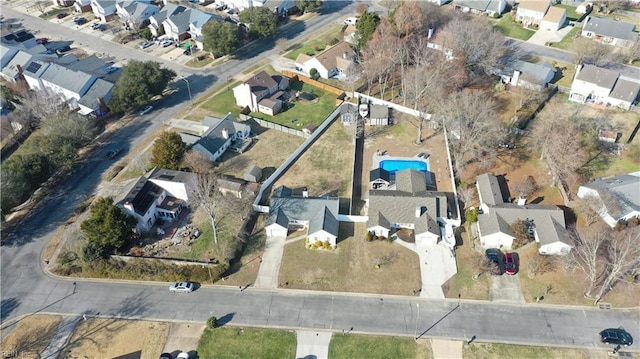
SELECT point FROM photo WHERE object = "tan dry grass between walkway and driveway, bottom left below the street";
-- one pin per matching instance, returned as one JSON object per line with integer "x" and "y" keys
{"x": 110, "y": 338}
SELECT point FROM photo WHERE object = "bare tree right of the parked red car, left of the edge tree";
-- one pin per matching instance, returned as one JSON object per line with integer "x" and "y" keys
{"x": 585, "y": 256}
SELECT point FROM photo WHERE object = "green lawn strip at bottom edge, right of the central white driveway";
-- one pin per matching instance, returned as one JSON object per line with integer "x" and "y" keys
{"x": 365, "y": 346}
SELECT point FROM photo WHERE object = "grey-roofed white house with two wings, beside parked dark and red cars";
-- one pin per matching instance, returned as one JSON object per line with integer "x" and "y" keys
{"x": 545, "y": 223}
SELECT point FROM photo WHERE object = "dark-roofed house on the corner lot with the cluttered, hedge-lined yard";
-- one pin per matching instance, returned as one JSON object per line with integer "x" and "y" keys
{"x": 160, "y": 194}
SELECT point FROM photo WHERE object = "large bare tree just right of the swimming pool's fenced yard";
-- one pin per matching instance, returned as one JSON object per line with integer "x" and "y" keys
{"x": 471, "y": 118}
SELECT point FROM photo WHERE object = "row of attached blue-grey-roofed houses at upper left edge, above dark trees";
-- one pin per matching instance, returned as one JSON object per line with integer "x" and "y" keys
{"x": 86, "y": 85}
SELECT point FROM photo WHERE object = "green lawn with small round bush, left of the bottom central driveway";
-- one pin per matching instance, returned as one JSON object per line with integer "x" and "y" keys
{"x": 233, "y": 342}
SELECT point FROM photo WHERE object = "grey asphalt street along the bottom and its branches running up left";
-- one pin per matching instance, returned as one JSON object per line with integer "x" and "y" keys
{"x": 27, "y": 289}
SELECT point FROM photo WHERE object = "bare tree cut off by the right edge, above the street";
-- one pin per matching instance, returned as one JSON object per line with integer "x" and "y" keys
{"x": 622, "y": 259}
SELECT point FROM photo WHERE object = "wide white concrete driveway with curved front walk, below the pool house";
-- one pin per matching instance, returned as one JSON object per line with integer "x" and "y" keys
{"x": 437, "y": 265}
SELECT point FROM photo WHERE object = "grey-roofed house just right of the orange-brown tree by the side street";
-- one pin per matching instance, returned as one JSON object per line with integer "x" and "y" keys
{"x": 223, "y": 134}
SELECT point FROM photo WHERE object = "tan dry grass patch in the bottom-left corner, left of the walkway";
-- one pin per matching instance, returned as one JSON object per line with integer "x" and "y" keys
{"x": 31, "y": 336}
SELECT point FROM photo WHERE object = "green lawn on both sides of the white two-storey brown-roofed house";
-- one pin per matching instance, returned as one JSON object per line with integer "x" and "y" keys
{"x": 303, "y": 112}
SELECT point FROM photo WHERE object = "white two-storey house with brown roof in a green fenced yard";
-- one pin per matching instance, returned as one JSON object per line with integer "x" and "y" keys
{"x": 262, "y": 93}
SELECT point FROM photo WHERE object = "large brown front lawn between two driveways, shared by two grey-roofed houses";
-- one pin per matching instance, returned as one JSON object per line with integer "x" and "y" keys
{"x": 350, "y": 267}
